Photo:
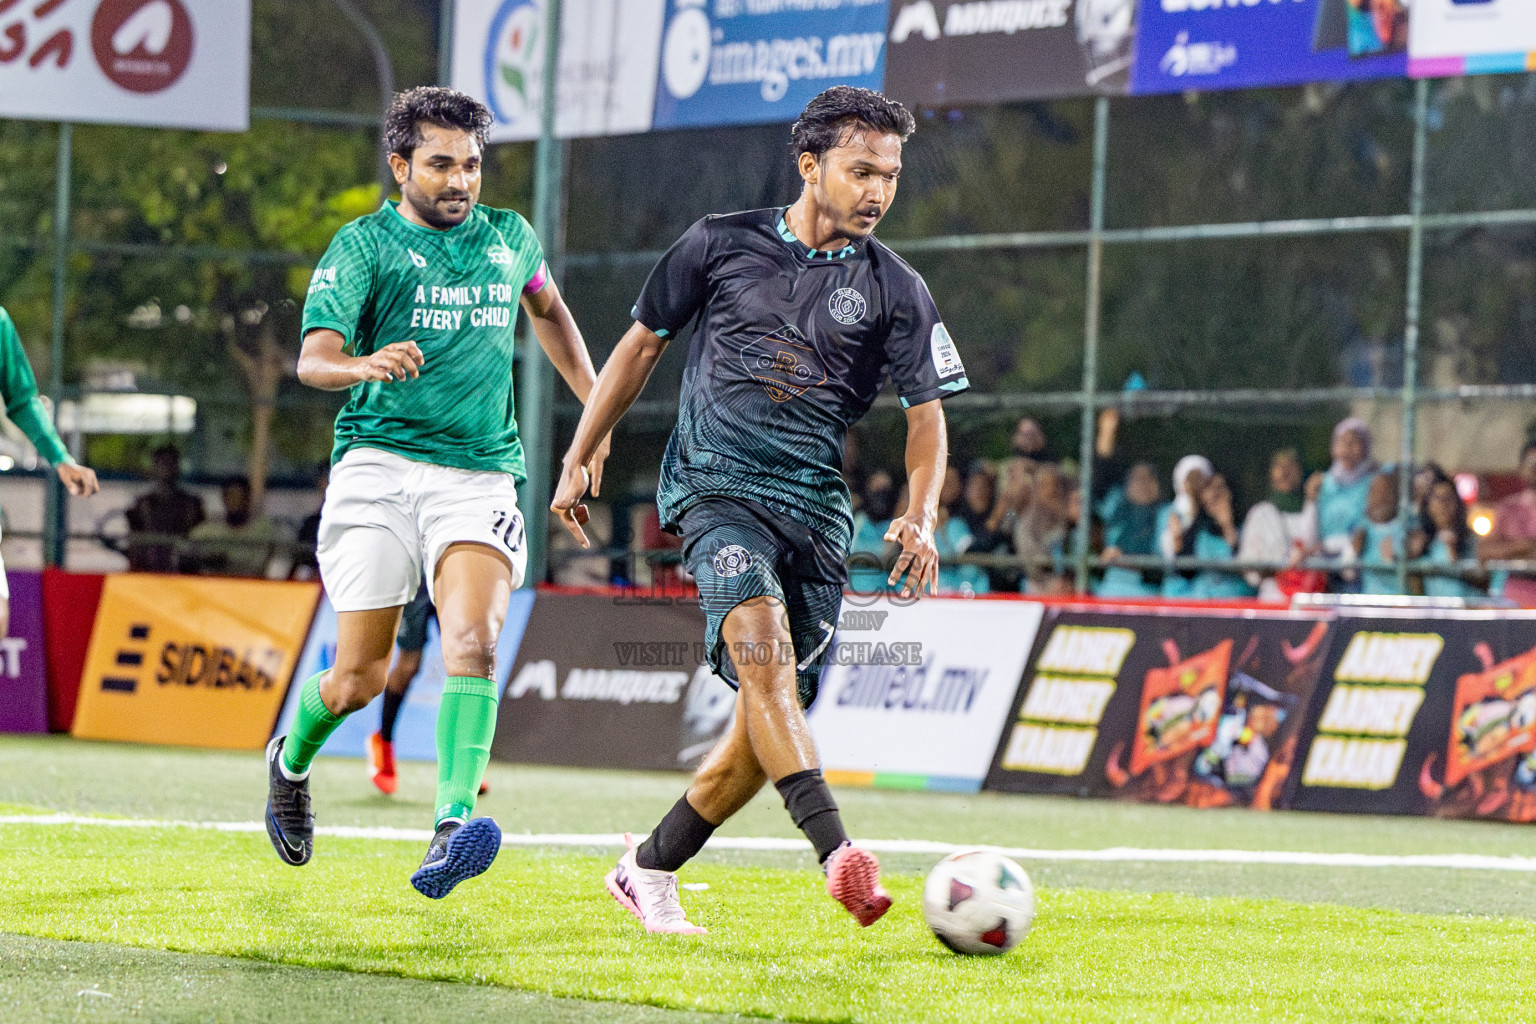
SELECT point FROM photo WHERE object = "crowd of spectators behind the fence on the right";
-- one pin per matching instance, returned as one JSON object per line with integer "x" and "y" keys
{"x": 1336, "y": 530}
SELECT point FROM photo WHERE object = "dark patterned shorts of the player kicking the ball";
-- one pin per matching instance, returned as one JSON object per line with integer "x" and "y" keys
{"x": 738, "y": 550}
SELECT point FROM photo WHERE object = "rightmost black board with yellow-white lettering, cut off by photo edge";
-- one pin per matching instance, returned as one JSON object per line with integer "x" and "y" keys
{"x": 1426, "y": 716}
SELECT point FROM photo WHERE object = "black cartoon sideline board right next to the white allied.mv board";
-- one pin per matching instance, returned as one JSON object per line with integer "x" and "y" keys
{"x": 1179, "y": 707}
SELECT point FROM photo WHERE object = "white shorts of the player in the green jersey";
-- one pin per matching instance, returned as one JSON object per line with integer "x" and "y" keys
{"x": 388, "y": 521}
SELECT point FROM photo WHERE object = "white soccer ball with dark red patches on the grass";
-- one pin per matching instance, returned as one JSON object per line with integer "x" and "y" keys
{"x": 979, "y": 903}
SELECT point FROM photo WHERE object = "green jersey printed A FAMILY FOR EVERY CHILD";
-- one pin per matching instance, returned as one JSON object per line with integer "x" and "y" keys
{"x": 455, "y": 294}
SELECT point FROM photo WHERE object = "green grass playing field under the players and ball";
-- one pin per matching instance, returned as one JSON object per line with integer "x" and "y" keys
{"x": 196, "y": 925}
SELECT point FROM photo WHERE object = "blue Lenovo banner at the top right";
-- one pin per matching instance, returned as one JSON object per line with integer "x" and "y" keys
{"x": 1219, "y": 45}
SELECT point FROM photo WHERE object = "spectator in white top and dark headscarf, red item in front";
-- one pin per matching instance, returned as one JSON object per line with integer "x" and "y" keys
{"x": 1282, "y": 529}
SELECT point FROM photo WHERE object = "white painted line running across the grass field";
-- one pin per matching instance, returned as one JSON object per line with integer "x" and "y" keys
{"x": 1116, "y": 854}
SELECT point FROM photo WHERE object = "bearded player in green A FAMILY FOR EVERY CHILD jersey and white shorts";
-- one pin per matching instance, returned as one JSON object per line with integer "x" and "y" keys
{"x": 412, "y": 311}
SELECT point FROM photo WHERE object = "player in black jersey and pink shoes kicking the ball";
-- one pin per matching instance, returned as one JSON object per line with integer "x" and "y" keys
{"x": 803, "y": 315}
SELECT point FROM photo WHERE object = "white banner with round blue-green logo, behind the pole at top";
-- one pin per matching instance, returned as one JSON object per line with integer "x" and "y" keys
{"x": 611, "y": 51}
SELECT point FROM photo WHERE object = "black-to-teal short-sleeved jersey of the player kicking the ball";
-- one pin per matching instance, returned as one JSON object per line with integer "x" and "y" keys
{"x": 792, "y": 349}
